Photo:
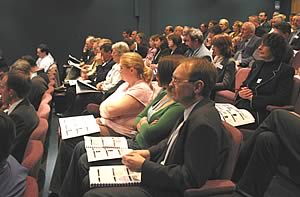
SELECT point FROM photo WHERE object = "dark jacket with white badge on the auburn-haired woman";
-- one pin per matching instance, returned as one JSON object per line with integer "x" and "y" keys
{"x": 226, "y": 75}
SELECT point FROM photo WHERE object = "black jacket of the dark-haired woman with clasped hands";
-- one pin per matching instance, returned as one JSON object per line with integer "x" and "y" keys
{"x": 275, "y": 90}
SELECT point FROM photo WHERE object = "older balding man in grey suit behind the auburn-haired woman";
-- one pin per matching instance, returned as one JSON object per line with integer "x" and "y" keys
{"x": 247, "y": 45}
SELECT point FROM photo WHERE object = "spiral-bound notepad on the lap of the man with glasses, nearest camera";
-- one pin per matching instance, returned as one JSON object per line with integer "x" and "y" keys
{"x": 113, "y": 176}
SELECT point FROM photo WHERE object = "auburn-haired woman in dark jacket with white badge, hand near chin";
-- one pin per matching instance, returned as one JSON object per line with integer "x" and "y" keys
{"x": 224, "y": 63}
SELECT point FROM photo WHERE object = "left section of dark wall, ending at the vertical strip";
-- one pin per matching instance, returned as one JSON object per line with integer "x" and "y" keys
{"x": 62, "y": 24}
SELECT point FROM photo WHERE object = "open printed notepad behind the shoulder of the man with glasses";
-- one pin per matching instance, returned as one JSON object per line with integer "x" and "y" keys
{"x": 234, "y": 116}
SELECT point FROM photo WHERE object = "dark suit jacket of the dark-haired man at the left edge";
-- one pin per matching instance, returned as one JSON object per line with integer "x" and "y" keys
{"x": 26, "y": 120}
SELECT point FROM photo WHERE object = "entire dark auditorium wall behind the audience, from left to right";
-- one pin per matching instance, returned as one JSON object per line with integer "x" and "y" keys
{"x": 63, "y": 24}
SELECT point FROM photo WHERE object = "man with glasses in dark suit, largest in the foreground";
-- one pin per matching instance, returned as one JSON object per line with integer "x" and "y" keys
{"x": 196, "y": 149}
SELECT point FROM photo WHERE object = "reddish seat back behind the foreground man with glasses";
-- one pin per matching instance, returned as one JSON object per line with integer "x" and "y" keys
{"x": 236, "y": 139}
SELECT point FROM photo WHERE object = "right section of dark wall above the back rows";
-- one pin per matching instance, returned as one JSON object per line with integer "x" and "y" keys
{"x": 192, "y": 12}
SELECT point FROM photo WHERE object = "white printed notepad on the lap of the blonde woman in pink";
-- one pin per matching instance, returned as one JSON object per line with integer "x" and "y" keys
{"x": 75, "y": 126}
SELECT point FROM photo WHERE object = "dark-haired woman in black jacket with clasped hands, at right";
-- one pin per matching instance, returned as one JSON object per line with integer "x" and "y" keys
{"x": 269, "y": 81}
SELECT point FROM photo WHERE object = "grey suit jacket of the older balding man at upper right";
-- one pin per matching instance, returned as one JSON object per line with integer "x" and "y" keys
{"x": 247, "y": 51}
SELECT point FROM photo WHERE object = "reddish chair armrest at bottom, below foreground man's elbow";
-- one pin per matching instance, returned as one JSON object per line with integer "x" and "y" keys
{"x": 211, "y": 187}
